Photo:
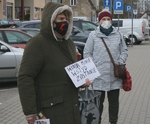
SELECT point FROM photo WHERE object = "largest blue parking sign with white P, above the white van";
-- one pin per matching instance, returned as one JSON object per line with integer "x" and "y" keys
{"x": 118, "y": 7}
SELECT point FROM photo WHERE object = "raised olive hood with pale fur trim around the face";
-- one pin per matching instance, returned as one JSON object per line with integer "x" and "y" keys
{"x": 50, "y": 11}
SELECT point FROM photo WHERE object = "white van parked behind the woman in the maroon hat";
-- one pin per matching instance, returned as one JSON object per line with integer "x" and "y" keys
{"x": 140, "y": 29}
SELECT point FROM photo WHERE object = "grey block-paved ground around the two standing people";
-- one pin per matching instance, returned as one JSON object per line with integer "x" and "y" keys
{"x": 134, "y": 105}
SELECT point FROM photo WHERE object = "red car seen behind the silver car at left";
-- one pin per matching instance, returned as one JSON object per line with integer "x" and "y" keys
{"x": 14, "y": 37}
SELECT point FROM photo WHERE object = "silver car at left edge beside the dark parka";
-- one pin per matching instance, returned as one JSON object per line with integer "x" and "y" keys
{"x": 10, "y": 59}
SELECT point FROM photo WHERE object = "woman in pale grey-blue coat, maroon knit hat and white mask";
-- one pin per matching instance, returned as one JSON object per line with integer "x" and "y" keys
{"x": 95, "y": 49}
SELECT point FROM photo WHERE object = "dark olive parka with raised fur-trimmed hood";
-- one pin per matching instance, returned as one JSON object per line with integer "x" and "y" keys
{"x": 44, "y": 86}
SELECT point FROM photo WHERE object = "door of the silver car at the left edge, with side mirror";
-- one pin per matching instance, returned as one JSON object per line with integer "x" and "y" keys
{"x": 7, "y": 62}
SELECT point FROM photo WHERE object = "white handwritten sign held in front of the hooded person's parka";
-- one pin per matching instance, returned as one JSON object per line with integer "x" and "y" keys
{"x": 81, "y": 70}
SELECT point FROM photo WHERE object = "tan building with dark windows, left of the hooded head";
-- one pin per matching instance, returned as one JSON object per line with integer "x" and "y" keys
{"x": 11, "y": 9}
